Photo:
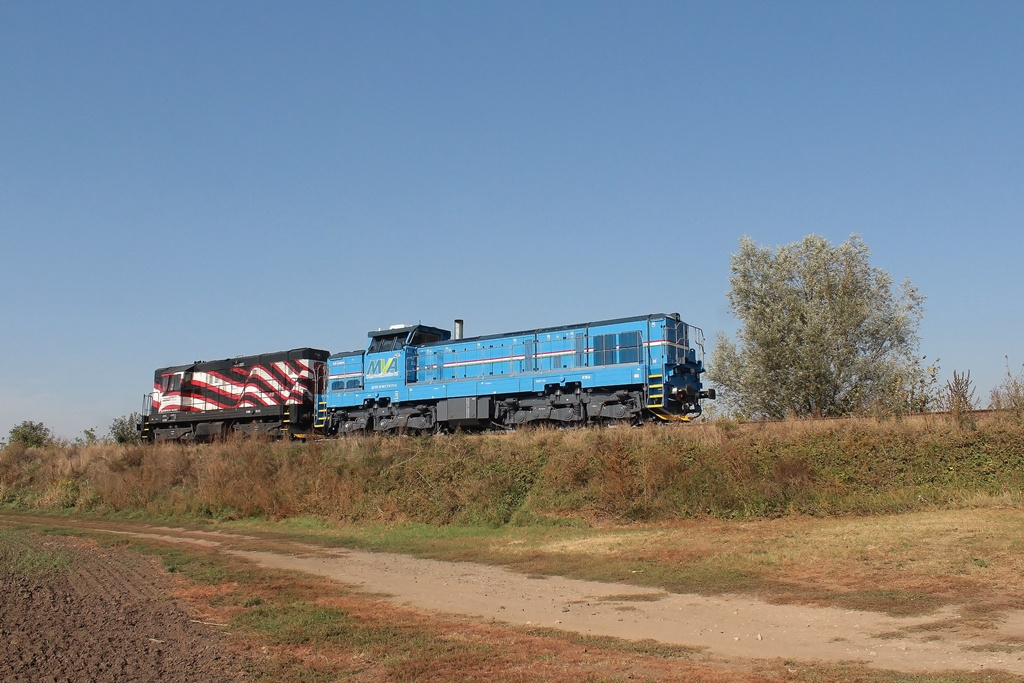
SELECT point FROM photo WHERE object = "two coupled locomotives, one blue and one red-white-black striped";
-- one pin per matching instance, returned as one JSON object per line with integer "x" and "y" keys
{"x": 419, "y": 379}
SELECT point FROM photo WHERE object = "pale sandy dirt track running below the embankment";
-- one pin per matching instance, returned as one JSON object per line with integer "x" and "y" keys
{"x": 734, "y": 629}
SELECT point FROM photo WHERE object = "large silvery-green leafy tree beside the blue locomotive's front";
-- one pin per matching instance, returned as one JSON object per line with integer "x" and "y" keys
{"x": 824, "y": 333}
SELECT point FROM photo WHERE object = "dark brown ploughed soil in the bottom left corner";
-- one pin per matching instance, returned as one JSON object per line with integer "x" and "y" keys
{"x": 105, "y": 617}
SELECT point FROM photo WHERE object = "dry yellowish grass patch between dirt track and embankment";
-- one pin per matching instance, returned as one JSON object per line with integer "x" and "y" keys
{"x": 903, "y": 565}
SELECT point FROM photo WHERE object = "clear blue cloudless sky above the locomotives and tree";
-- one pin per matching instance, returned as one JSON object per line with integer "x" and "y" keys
{"x": 185, "y": 181}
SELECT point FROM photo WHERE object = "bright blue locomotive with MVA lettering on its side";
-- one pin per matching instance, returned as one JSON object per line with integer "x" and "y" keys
{"x": 419, "y": 378}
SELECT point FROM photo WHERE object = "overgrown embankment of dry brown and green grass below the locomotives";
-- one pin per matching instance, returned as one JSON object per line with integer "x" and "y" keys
{"x": 721, "y": 471}
